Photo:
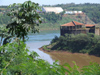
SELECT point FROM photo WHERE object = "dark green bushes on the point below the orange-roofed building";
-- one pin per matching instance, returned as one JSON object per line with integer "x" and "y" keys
{"x": 81, "y": 43}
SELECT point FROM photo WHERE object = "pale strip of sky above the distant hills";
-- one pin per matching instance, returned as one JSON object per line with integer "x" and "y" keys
{"x": 48, "y": 2}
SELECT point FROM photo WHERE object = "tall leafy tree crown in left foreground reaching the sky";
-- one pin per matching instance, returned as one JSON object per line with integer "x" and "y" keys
{"x": 24, "y": 19}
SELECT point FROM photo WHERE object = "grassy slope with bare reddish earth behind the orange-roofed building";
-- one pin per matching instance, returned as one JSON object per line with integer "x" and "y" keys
{"x": 65, "y": 19}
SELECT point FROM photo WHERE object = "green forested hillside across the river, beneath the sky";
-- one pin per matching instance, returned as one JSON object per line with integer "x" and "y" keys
{"x": 52, "y": 20}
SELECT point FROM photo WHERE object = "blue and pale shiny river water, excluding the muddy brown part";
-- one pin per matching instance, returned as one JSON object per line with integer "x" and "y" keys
{"x": 43, "y": 38}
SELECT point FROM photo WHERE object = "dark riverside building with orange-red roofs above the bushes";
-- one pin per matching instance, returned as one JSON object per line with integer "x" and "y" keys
{"x": 77, "y": 28}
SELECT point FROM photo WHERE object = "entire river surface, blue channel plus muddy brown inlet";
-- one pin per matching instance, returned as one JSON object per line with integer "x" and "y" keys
{"x": 43, "y": 38}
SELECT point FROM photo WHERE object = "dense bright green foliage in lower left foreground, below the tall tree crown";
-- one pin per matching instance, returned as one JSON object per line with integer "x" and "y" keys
{"x": 16, "y": 60}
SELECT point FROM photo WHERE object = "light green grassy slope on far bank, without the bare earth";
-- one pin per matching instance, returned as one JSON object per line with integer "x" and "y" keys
{"x": 56, "y": 26}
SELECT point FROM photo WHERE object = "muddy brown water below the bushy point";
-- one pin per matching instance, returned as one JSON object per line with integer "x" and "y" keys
{"x": 68, "y": 57}
